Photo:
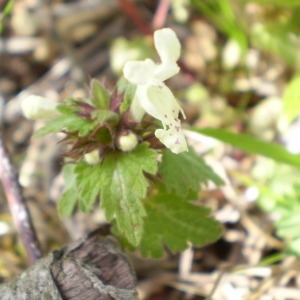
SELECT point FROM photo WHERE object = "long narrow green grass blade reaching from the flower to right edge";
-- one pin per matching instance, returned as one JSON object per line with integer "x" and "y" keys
{"x": 252, "y": 145}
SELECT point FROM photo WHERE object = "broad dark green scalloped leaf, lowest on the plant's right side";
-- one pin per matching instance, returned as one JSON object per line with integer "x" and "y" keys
{"x": 173, "y": 222}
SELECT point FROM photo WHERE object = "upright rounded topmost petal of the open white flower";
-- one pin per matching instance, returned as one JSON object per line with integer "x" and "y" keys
{"x": 167, "y": 45}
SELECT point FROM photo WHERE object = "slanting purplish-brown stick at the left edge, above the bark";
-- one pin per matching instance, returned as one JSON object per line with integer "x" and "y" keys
{"x": 17, "y": 205}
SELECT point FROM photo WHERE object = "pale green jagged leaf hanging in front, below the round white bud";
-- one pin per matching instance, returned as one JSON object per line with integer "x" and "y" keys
{"x": 123, "y": 186}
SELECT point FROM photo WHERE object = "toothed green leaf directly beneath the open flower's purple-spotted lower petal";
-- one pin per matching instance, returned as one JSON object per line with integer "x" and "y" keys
{"x": 184, "y": 172}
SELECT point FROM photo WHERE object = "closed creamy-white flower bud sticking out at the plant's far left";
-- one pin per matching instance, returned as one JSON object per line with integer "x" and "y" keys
{"x": 38, "y": 108}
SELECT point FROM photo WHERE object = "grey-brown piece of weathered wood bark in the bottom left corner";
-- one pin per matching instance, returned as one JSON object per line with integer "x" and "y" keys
{"x": 88, "y": 269}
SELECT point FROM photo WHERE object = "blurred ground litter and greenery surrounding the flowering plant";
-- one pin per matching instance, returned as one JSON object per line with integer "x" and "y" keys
{"x": 240, "y": 67}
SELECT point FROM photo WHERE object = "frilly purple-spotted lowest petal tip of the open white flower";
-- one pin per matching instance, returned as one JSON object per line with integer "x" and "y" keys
{"x": 172, "y": 139}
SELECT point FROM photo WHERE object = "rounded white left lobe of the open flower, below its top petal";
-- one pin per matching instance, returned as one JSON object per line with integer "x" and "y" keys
{"x": 140, "y": 72}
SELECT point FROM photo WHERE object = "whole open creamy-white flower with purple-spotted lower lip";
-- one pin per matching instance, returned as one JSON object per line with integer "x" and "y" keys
{"x": 153, "y": 96}
